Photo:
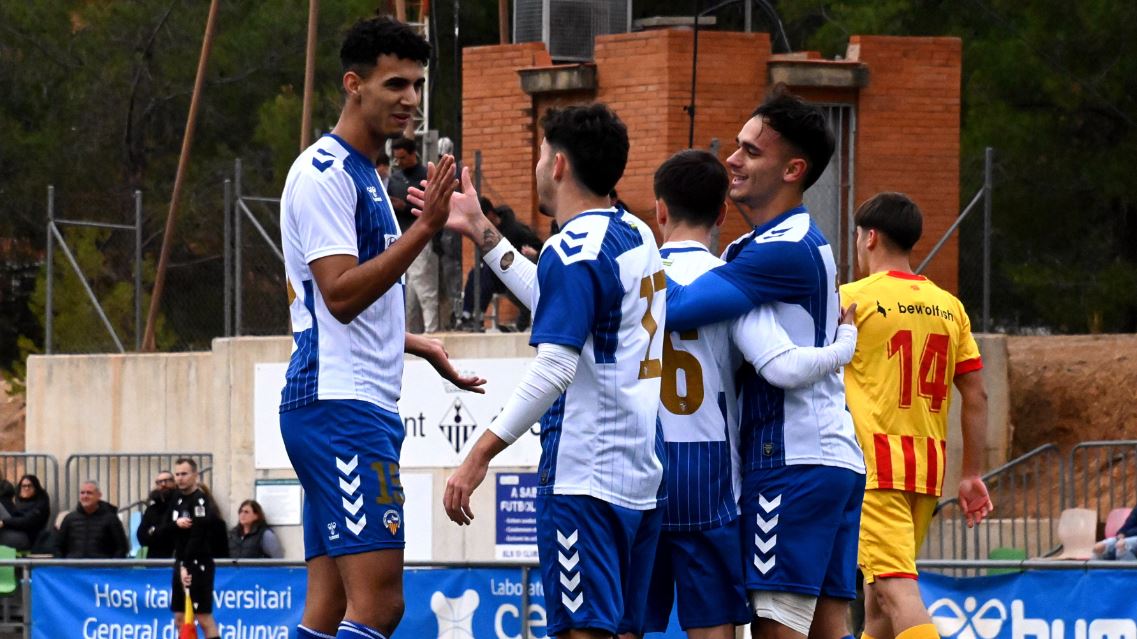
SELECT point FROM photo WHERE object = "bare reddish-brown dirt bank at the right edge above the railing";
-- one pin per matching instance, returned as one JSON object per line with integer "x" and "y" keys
{"x": 1069, "y": 389}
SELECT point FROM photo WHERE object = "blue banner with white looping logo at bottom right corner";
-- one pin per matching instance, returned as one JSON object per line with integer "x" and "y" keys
{"x": 1098, "y": 604}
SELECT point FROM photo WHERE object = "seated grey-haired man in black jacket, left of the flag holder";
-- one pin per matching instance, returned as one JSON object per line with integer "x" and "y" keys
{"x": 93, "y": 530}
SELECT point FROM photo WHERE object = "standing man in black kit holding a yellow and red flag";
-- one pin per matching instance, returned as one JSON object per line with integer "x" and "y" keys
{"x": 200, "y": 536}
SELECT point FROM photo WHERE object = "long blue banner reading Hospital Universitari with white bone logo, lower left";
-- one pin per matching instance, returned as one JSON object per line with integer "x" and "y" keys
{"x": 253, "y": 603}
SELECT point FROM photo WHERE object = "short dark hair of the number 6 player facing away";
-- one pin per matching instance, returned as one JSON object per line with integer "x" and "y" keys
{"x": 693, "y": 184}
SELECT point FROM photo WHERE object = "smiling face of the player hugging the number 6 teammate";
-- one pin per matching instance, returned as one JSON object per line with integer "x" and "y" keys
{"x": 759, "y": 164}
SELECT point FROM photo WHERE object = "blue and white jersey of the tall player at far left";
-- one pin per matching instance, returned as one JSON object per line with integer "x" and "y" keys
{"x": 334, "y": 204}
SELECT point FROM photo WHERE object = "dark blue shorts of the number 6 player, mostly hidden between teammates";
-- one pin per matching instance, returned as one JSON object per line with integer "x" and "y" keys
{"x": 703, "y": 567}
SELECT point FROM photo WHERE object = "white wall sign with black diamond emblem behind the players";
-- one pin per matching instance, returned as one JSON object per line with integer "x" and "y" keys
{"x": 441, "y": 420}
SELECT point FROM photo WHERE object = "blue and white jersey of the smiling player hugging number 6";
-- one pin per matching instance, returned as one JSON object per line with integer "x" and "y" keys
{"x": 789, "y": 264}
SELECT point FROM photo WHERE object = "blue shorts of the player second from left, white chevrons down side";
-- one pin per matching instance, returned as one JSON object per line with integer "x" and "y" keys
{"x": 596, "y": 563}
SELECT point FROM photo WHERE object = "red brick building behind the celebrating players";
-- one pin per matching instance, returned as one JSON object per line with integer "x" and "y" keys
{"x": 894, "y": 102}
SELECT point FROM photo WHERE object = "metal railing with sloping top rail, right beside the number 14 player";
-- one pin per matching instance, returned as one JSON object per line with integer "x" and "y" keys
{"x": 1028, "y": 496}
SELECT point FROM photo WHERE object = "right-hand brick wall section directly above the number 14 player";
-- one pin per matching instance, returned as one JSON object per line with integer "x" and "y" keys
{"x": 909, "y": 135}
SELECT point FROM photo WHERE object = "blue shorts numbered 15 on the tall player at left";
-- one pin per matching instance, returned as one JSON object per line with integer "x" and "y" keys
{"x": 346, "y": 454}
